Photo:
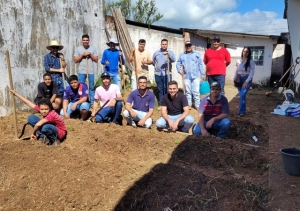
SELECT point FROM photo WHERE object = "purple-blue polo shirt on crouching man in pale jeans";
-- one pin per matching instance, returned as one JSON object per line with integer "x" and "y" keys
{"x": 141, "y": 103}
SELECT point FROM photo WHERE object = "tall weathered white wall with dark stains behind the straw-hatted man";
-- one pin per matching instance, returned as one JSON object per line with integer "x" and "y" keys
{"x": 26, "y": 28}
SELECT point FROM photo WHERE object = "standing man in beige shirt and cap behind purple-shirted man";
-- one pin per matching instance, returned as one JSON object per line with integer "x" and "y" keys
{"x": 142, "y": 59}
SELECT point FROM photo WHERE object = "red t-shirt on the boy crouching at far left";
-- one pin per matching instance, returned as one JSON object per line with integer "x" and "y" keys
{"x": 56, "y": 120}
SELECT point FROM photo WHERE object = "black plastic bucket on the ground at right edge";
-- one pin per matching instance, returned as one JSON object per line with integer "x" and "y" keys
{"x": 291, "y": 160}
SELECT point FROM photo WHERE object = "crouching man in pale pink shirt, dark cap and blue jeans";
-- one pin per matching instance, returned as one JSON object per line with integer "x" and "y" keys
{"x": 108, "y": 92}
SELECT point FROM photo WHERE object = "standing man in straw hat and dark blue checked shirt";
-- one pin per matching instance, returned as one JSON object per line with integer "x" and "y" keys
{"x": 54, "y": 67}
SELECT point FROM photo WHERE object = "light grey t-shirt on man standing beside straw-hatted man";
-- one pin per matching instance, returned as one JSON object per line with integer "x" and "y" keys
{"x": 82, "y": 64}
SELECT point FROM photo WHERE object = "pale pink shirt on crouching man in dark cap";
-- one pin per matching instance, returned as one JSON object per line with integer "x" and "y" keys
{"x": 107, "y": 94}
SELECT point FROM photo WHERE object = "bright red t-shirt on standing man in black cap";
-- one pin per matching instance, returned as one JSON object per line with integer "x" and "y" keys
{"x": 215, "y": 61}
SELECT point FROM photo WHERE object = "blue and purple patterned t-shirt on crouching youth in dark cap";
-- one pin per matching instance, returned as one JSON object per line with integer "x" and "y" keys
{"x": 73, "y": 95}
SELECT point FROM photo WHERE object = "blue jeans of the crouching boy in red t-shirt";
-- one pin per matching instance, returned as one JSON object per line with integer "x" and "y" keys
{"x": 48, "y": 130}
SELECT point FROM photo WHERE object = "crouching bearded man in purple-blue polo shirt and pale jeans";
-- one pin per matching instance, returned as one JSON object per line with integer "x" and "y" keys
{"x": 139, "y": 106}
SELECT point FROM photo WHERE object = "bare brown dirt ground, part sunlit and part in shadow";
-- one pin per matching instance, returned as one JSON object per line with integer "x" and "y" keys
{"x": 109, "y": 167}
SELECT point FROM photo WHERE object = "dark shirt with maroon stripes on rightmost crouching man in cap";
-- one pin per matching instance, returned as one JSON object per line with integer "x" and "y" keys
{"x": 211, "y": 110}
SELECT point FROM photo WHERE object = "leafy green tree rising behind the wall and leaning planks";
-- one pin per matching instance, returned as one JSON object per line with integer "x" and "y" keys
{"x": 144, "y": 11}
